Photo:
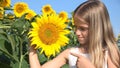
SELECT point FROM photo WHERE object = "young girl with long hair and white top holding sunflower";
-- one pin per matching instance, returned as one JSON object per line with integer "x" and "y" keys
{"x": 98, "y": 48}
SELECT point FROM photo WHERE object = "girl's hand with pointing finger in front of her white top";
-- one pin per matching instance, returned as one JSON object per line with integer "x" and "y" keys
{"x": 82, "y": 62}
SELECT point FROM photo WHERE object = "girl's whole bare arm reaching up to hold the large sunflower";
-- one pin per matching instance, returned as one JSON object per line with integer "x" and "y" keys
{"x": 57, "y": 62}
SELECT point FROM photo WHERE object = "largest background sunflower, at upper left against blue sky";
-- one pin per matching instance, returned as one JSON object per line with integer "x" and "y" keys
{"x": 20, "y": 8}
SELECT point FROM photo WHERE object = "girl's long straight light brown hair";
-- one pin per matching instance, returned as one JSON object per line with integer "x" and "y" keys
{"x": 100, "y": 35}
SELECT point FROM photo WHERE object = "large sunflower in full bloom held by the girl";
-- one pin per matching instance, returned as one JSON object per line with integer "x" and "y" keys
{"x": 49, "y": 34}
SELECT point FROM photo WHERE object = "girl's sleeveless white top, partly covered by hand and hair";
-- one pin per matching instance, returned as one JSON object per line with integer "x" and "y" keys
{"x": 73, "y": 59}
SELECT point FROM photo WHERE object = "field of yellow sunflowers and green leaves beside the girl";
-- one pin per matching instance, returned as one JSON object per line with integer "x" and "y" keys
{"x": 50, "y": 31}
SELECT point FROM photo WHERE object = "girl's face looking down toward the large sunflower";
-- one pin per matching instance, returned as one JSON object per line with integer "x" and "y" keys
{"x": 81, "y": 30}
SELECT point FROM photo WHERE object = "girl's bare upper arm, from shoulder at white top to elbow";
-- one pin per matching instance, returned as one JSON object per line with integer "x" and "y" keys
{"x": 59, "y": 61}
